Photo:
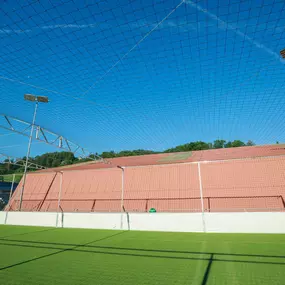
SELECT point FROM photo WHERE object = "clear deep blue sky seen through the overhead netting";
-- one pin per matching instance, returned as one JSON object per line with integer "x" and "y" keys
{"x": 144, "y": 74}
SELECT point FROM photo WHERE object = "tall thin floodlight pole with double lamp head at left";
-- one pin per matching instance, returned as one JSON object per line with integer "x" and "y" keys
{"x": 37, "y": 99}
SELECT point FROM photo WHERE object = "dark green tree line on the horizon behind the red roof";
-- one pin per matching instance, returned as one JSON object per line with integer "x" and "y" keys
{"x": 55, "y": 159}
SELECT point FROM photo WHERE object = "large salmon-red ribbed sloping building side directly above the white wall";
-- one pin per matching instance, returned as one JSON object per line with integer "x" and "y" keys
{"x": 256, "y": 184}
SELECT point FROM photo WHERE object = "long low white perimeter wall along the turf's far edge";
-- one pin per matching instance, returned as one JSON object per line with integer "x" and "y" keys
{"x": 176, "y": 222}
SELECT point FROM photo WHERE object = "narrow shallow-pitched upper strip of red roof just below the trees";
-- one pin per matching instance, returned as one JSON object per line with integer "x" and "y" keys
{"x": 170, "y": 158}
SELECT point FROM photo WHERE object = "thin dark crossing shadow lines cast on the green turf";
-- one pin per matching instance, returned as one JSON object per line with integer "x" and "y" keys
{"x": 87, "y": 248}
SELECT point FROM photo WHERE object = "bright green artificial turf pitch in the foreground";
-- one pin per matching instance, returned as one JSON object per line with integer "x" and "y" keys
{"x": 35, "y": 255}
